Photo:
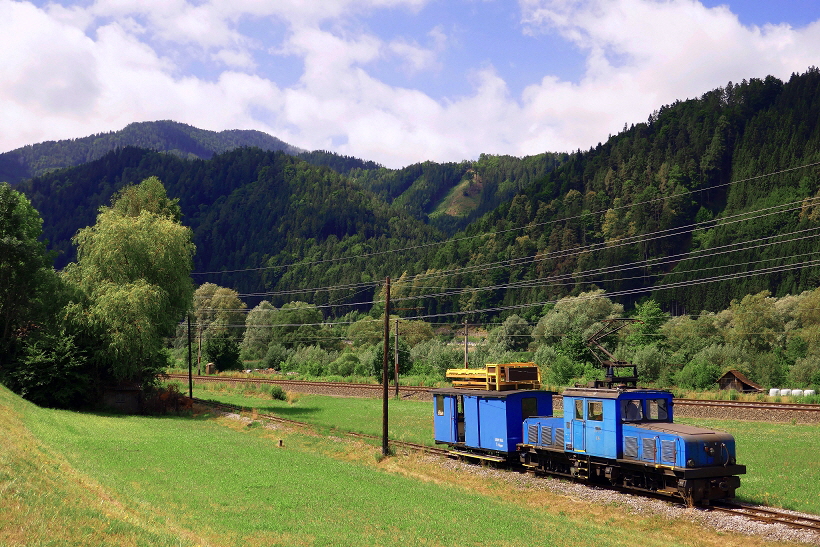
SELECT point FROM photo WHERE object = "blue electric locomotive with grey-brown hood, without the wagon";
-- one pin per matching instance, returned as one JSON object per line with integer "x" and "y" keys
{"x": 627, "y": 437}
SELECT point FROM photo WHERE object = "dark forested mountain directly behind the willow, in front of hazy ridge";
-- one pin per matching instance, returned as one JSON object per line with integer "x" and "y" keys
{"x": 244, "y": 206}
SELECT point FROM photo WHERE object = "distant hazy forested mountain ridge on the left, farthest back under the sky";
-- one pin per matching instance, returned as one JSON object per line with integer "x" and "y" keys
{"x": 164, "y": 136}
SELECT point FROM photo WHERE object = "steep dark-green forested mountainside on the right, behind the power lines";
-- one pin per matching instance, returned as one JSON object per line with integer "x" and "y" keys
{"x": 687, "y": 196}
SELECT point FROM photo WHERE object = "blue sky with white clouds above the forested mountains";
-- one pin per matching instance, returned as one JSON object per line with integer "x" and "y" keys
{"x": 395, "y": 81}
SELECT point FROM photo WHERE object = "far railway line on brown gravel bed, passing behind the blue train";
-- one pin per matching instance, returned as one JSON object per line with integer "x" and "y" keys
{"x": 414, "y": 390}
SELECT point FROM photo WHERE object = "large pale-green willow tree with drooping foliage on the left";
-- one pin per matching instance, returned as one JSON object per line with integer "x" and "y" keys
{"x": 133, "y": 273}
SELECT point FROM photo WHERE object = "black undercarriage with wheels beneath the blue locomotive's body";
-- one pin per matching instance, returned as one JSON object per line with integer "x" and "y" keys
{"x": 710, "y": 484}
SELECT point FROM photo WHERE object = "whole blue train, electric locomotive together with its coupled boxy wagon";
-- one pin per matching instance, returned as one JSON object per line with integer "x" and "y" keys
{"x": 623, "y": 437}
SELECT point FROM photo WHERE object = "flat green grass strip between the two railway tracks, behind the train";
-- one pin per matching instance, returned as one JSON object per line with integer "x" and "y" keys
{"x": 782, "y": 460}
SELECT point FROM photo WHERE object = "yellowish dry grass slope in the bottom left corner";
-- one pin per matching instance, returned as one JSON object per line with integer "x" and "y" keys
{"x": 45, "y": 501}
